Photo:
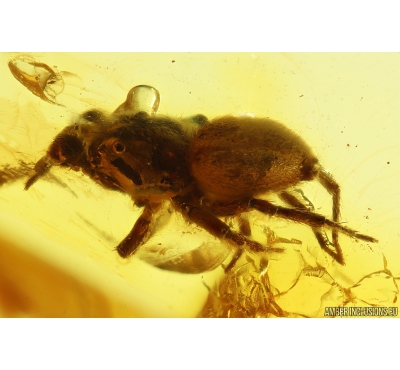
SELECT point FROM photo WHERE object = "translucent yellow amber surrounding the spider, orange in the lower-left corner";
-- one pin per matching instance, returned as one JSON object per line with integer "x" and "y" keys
{"x": 56, "y": 251}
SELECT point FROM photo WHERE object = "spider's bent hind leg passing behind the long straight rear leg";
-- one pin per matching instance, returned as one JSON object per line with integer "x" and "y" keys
{"x": 323, "y": 241}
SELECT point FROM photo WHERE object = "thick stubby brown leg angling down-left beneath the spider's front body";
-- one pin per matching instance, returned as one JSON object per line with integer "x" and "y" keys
{"x": 140, "y": 231}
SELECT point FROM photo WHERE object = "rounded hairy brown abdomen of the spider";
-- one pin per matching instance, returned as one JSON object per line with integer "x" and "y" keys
{"x": 236, "y": 157}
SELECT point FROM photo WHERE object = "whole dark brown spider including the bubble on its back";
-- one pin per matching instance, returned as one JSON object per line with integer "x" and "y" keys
{"x": 207, "y": 169}
